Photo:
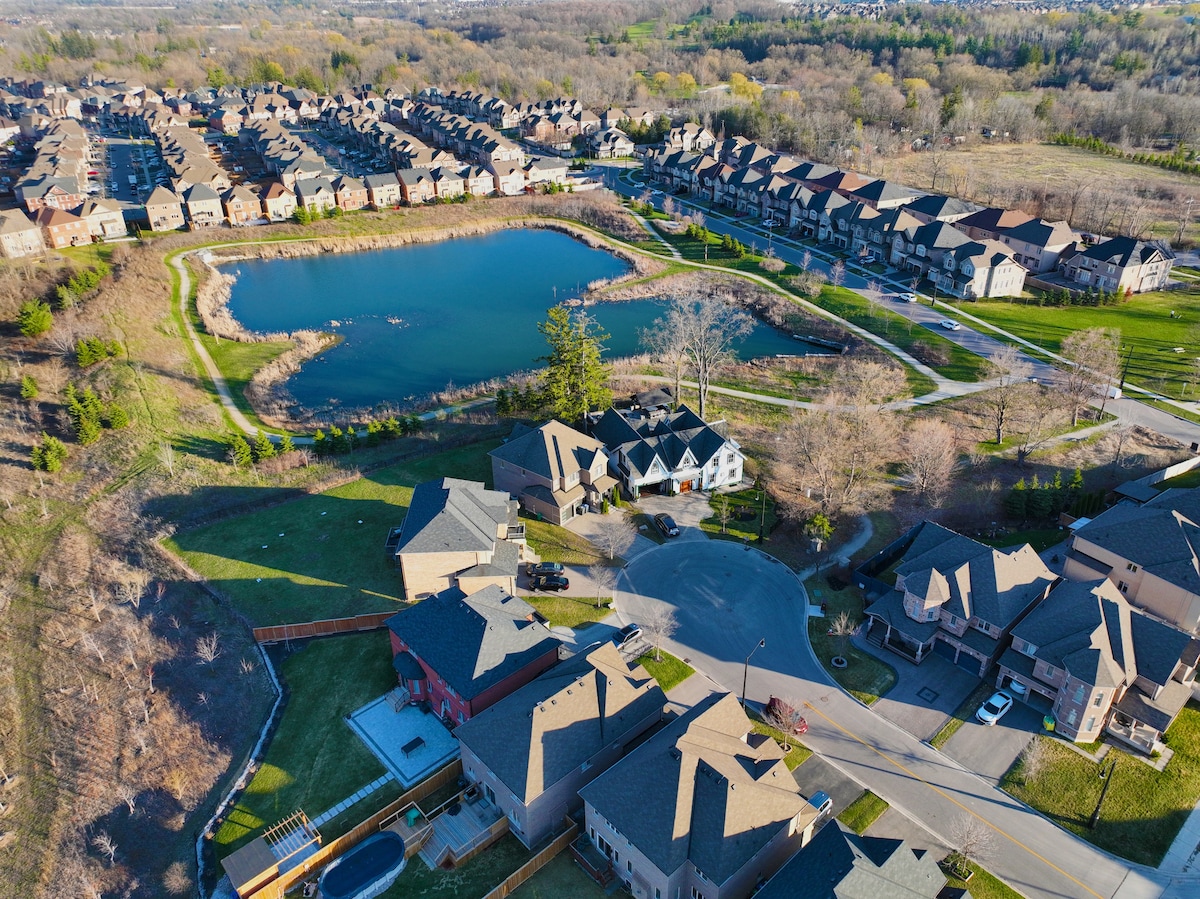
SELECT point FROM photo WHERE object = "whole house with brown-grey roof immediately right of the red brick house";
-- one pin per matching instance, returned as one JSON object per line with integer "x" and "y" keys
{"x": 532, "y": 752}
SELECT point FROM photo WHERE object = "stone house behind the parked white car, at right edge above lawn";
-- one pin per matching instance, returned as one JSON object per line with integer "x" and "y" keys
{"x": 1102, "y": 667}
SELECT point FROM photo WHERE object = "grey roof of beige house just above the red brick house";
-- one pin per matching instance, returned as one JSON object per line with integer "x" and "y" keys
{"x": 453, "y": 516}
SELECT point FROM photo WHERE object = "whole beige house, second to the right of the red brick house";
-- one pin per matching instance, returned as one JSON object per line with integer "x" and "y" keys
{"x": 704, "y": 808}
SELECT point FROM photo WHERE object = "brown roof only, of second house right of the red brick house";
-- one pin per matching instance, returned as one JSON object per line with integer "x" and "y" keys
{"x": 705, "y": 788}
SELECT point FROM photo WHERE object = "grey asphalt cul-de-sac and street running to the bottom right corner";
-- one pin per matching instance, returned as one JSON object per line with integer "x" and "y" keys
{"x": 728, "y": 598}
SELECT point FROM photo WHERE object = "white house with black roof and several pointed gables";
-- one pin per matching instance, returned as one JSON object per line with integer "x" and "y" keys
{"x": 652, "y": 449}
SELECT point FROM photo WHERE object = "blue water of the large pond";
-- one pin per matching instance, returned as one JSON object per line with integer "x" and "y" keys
{"x": 416, "y": 320}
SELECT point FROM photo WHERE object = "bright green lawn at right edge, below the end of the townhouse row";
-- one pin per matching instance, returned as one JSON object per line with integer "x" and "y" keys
{"x": 1144, "y": 321}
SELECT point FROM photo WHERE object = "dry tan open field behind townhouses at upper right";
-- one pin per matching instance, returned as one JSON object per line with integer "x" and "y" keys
{"x": 991, "y": 173}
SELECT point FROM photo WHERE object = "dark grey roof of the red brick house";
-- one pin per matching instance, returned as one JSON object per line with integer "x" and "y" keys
{"x": 473, "y": 643}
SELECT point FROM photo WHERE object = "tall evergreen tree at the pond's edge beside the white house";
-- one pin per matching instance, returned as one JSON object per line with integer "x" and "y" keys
{"x": 577, "y": 381}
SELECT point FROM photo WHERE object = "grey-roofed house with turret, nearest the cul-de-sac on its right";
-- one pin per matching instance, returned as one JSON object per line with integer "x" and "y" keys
{"x": 955, "y": 597}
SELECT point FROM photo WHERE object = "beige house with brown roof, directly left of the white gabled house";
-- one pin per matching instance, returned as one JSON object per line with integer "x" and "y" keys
{"x": 553, "y": 471}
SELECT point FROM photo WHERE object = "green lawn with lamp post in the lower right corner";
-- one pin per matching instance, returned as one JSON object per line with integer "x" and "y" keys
{"x": 1144, "y": 810}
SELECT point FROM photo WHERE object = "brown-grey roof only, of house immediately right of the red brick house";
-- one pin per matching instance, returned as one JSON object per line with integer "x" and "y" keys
{"x": 551, "y": 727}
